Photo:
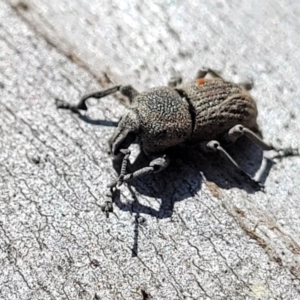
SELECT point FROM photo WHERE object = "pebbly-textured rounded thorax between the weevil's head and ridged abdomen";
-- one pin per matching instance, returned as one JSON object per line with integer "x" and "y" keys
{"x": 164, "y": 119}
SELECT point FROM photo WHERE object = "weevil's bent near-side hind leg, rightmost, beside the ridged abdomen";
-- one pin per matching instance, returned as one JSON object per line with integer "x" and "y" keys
{"x": 239, "y": 130}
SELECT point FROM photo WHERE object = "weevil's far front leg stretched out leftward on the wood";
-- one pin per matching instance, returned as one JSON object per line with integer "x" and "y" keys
{"x": 126, "y": 90}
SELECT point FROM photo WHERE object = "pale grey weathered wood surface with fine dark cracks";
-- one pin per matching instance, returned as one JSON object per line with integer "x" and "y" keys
{"x": 198, "y": 231}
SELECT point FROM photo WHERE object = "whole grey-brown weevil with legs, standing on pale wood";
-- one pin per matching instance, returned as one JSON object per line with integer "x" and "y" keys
{"x": 206, "y": 111}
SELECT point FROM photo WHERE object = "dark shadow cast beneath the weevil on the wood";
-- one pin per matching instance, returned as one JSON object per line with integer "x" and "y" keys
{"x": 183, "y": 178}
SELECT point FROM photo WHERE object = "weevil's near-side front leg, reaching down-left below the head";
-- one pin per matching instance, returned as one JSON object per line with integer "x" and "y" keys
{"x": 156, "y": 165}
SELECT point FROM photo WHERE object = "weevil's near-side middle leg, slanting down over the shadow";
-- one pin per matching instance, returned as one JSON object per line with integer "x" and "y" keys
{"x": 214, "y": 146}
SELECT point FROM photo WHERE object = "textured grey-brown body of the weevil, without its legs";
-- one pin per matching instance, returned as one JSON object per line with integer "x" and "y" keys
{"x": 199, "y": 110}
